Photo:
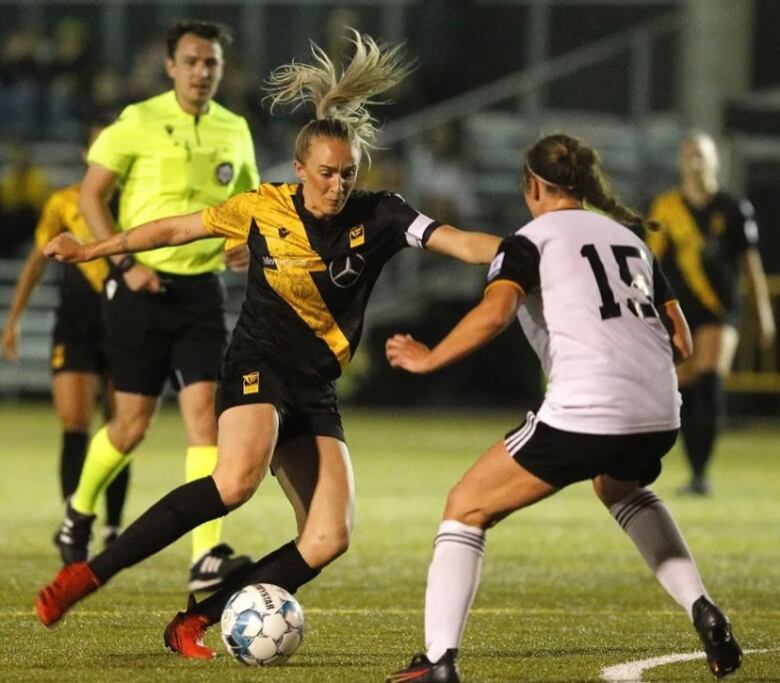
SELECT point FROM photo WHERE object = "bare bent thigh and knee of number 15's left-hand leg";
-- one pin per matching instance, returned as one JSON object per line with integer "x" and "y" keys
{"x": 495, "y": 486}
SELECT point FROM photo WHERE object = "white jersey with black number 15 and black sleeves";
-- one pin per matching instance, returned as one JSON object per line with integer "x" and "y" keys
{"x": 592, "y": 288}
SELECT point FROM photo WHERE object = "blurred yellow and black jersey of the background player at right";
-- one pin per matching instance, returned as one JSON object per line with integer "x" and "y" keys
{"x": 700, "y": 250}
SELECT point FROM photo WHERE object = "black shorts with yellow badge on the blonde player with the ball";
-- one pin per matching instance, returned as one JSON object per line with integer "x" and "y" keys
{"x": 304, "y": 410}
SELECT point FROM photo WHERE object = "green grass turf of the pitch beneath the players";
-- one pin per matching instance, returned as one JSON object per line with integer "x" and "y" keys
{"x": 563, "y": 592}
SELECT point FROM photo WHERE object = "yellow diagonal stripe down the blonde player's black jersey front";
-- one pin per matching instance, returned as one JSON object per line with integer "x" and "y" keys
{"x": 292, "y": 280}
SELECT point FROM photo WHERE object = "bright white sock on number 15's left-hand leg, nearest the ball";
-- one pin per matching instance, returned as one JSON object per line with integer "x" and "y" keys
{"x": 453, "y": 578}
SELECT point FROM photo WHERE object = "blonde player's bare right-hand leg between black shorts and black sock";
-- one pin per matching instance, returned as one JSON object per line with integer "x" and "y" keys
{"x": 316, "y": 475}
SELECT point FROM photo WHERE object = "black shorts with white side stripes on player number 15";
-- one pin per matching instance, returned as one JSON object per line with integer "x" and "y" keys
{"x": 561, "y": 458}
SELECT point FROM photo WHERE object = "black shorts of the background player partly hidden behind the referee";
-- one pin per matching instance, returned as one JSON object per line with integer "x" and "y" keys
{"x": 78, "y": 339}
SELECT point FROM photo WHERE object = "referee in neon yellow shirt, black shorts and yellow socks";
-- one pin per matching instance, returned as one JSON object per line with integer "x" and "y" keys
{"x": 173, "y": 153}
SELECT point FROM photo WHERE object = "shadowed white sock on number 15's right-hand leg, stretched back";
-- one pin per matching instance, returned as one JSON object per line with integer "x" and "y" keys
{"x": 649, "y": 524}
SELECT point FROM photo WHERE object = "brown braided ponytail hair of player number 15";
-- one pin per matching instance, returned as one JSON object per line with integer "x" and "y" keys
{"x": 570, "y": 166}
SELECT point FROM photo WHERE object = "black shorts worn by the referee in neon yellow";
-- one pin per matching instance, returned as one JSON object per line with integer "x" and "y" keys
{"x": 177, "y": 335}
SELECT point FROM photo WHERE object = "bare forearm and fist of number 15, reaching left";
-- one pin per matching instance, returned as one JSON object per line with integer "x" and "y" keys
{"x": 481, "y": 324}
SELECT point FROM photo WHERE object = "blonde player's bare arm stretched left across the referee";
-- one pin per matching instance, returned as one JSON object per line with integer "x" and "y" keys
{"x": 165, "y": 232}
